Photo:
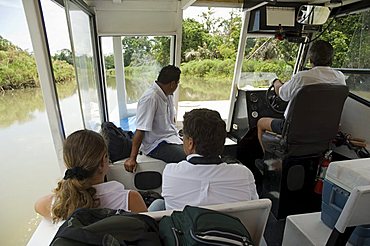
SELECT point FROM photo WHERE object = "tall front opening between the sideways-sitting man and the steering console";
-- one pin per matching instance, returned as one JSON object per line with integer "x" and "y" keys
{"x": 208, "y": 54}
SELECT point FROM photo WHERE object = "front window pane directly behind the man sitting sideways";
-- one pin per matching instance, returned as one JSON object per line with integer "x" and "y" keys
{"x": 143, "y": 57}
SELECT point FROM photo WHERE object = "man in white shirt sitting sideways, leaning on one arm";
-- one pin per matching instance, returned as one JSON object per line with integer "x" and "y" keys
{"x": 156, "y": 134}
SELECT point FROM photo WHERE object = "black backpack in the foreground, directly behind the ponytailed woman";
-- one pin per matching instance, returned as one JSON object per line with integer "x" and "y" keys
{"x": 102, "y": 226}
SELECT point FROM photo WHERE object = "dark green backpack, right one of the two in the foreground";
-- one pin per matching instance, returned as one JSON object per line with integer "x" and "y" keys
{"x": 200, "y": 226}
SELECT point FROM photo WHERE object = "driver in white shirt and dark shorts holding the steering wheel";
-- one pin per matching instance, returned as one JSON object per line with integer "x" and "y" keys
{"x": 321, "y": 55}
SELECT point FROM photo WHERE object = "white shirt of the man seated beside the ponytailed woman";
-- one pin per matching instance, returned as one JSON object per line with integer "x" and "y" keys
{"x": 188, "y": 184}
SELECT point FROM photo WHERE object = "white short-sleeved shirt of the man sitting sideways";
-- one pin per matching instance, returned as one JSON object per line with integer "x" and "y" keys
{"x": 155, "y": 115}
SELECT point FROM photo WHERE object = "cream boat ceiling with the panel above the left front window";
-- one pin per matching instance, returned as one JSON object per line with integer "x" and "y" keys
{"x": 162, "y": 17}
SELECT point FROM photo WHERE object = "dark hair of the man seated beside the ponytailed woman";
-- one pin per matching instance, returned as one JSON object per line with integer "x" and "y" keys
{"x": 207, "y": 130}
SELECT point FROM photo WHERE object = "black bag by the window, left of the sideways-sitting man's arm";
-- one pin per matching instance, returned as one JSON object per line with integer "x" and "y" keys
{"x": 119, "y": 141}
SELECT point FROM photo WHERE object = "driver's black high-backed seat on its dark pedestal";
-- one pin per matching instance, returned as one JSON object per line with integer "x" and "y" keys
{"x": 312, "y": 122}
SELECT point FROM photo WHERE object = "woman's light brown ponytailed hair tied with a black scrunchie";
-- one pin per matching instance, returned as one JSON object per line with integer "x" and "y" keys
{"x": 83, "y": 152}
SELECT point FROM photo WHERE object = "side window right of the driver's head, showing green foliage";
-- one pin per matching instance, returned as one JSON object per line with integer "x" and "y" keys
{"x": 350, "y": 37}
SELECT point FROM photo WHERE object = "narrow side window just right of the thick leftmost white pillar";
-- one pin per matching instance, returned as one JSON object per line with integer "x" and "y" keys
{"x": 63, "y": 65}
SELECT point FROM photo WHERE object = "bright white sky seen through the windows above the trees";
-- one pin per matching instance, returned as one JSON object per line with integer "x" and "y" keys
{"x": 13, "y": 25}
